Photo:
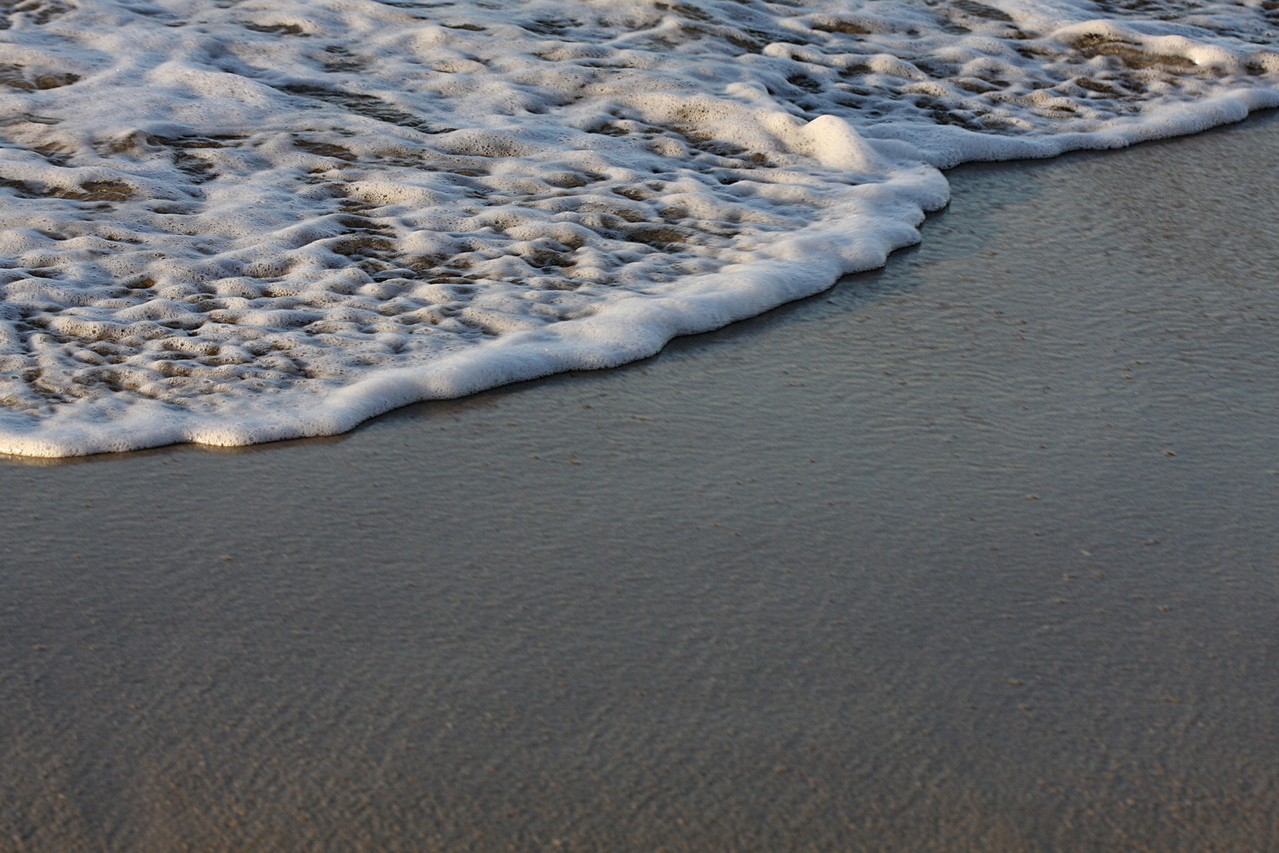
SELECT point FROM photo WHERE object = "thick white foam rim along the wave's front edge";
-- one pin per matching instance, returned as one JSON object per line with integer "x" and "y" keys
{"x": 609, "y": 340}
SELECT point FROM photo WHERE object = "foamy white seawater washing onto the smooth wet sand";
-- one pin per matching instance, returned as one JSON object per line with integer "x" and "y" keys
{"x": 231, "y": 223}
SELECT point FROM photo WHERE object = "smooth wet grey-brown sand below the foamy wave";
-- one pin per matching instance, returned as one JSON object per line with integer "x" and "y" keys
{"x": 977, "y": 553}
